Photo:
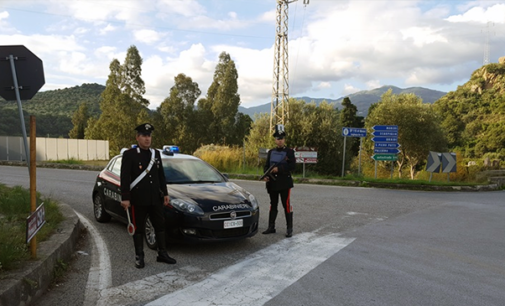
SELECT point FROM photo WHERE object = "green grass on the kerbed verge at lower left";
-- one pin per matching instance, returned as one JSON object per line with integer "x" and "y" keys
{"x": 14, "y": 209}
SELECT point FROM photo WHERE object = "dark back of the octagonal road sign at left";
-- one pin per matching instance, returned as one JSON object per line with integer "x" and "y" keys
{"x": 29, "y": 72}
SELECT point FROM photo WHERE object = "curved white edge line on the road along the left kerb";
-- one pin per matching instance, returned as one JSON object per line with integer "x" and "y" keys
{"x": 100, "y": 272}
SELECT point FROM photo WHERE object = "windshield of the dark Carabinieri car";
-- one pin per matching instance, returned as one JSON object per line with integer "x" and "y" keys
{"x": 185, "y": 171}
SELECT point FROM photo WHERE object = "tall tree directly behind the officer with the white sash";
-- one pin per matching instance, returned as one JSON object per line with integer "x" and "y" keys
{"x": 121, "y": 104}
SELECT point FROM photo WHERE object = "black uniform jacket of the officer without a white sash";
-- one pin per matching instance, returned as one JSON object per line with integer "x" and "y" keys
{"x": 285, "y": 161}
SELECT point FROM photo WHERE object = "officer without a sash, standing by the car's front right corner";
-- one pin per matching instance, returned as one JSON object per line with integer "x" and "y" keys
{"x": 282, "y": 161}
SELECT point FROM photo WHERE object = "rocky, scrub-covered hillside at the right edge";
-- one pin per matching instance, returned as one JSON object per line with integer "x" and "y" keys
{"x": 474, "y": 114}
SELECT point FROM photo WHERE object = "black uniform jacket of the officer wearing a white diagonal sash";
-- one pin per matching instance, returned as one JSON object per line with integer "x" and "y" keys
{"x": 151, "y": 189}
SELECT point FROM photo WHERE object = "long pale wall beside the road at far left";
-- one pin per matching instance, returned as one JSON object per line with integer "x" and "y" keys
{"x": 12, "y": 148}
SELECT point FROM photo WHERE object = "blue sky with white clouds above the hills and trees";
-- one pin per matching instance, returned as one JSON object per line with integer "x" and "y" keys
{"x": 336, "y": 47}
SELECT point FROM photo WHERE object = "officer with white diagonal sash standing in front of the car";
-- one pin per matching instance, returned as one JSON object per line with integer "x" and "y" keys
{"x": 144, "y": 191}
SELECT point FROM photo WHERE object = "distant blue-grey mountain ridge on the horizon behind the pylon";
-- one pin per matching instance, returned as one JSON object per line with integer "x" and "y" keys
{"x": 362, "y": 99}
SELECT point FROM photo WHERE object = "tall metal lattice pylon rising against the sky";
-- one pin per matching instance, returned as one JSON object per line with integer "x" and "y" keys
{"x": 279, "y": 112}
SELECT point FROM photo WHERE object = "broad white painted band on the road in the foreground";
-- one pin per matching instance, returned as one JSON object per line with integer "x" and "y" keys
{"x": 260, "y": 276}
